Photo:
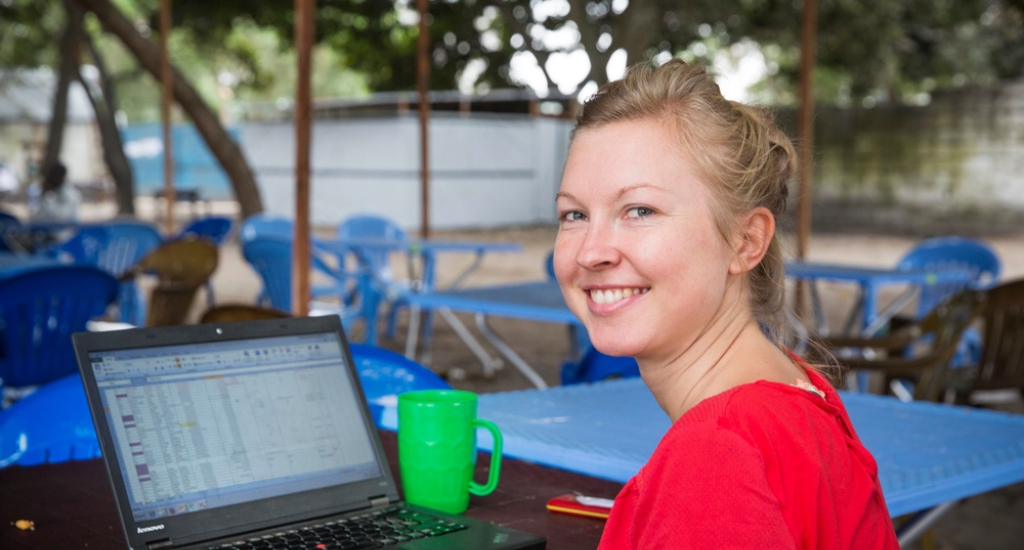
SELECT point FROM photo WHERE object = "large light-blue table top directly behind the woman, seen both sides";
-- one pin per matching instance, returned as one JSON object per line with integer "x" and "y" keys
{"x": 927, "y": 454}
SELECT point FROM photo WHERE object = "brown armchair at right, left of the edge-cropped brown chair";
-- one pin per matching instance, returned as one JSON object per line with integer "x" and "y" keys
{"x": 933, "y": 342}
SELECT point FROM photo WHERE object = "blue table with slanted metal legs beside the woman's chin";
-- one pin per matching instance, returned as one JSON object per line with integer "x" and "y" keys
{"x": 540, "y": 301}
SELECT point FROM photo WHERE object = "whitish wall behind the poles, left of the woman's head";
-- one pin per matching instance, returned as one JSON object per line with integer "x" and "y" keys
{"x": 486, "y": 172}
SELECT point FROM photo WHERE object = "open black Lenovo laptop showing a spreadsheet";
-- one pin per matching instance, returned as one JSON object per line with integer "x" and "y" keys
{"x": 253, "y": 436}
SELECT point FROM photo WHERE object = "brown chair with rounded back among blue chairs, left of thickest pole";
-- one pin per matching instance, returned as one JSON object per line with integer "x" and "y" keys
{"x": 182, "y": 268}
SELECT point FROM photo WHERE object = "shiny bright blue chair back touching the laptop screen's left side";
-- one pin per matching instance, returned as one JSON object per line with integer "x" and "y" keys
{"x": 53, "y": 425}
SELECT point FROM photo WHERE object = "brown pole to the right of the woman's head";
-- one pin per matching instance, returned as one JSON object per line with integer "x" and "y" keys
{"x": 805, "y": 133}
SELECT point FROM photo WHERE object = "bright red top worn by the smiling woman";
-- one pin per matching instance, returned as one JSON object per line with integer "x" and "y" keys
{"x": 763, "y": 466}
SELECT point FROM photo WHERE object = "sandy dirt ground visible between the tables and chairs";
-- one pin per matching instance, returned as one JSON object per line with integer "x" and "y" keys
{"x": 994, "y": 521}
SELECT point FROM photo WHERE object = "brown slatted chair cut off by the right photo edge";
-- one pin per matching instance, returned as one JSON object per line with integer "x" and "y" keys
{"x": 1002, "y": 365}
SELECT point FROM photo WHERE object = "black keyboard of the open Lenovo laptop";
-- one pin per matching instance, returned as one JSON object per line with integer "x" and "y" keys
{"x": 374, "y": 530}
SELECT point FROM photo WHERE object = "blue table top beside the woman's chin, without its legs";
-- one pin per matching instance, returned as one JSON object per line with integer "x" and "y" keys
{"x": 533, "y": 302}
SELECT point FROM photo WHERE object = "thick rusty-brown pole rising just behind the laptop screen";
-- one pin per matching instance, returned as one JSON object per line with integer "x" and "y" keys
{"x": 305, "y": 14}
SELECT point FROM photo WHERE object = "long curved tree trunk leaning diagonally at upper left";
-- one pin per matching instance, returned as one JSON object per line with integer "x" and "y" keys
{"x": 222, "y": 146}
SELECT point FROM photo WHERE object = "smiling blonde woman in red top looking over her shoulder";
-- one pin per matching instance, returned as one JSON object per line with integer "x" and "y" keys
{"x": 667, "y": 251}
